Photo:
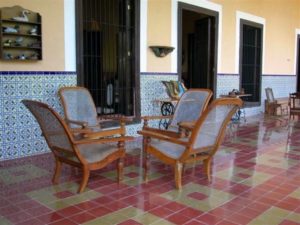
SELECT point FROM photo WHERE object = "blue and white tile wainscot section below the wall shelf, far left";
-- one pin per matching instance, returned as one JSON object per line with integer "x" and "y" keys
{"x": 19, "y": 133}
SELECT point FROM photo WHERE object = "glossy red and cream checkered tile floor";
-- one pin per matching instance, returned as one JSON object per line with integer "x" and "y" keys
{"x": 256, "y": 180}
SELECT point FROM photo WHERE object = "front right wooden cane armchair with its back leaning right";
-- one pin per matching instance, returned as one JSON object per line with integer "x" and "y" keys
{"x": 206, "y": 136}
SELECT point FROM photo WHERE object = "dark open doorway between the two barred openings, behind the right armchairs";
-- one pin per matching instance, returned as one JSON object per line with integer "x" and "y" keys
{"x": 197, "y": 46}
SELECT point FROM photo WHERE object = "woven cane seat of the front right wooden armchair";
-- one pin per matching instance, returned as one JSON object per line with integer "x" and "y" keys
{"x": 169, "y": 149}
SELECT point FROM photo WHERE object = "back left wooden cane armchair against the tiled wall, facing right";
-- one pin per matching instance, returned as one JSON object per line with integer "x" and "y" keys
{"x": 81, "y": 115}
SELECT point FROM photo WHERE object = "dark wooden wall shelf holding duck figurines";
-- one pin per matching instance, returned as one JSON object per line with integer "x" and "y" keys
{"x": 18, "y": 40}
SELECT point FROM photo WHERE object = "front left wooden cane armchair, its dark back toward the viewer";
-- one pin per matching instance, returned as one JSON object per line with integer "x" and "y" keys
{"x": 85, "y": 154}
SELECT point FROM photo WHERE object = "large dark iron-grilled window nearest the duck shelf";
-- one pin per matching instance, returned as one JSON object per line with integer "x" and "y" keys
{"x": 107, "y": 53}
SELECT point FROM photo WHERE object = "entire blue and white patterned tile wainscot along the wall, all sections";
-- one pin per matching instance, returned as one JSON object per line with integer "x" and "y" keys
{"x": 20, "y": 135}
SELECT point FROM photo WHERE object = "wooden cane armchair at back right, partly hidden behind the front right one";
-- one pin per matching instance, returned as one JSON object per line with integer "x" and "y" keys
{"x": 189, "y": 108}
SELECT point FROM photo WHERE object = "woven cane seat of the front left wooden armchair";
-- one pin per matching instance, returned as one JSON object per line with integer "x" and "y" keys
{"x": 96, "y": 152}
